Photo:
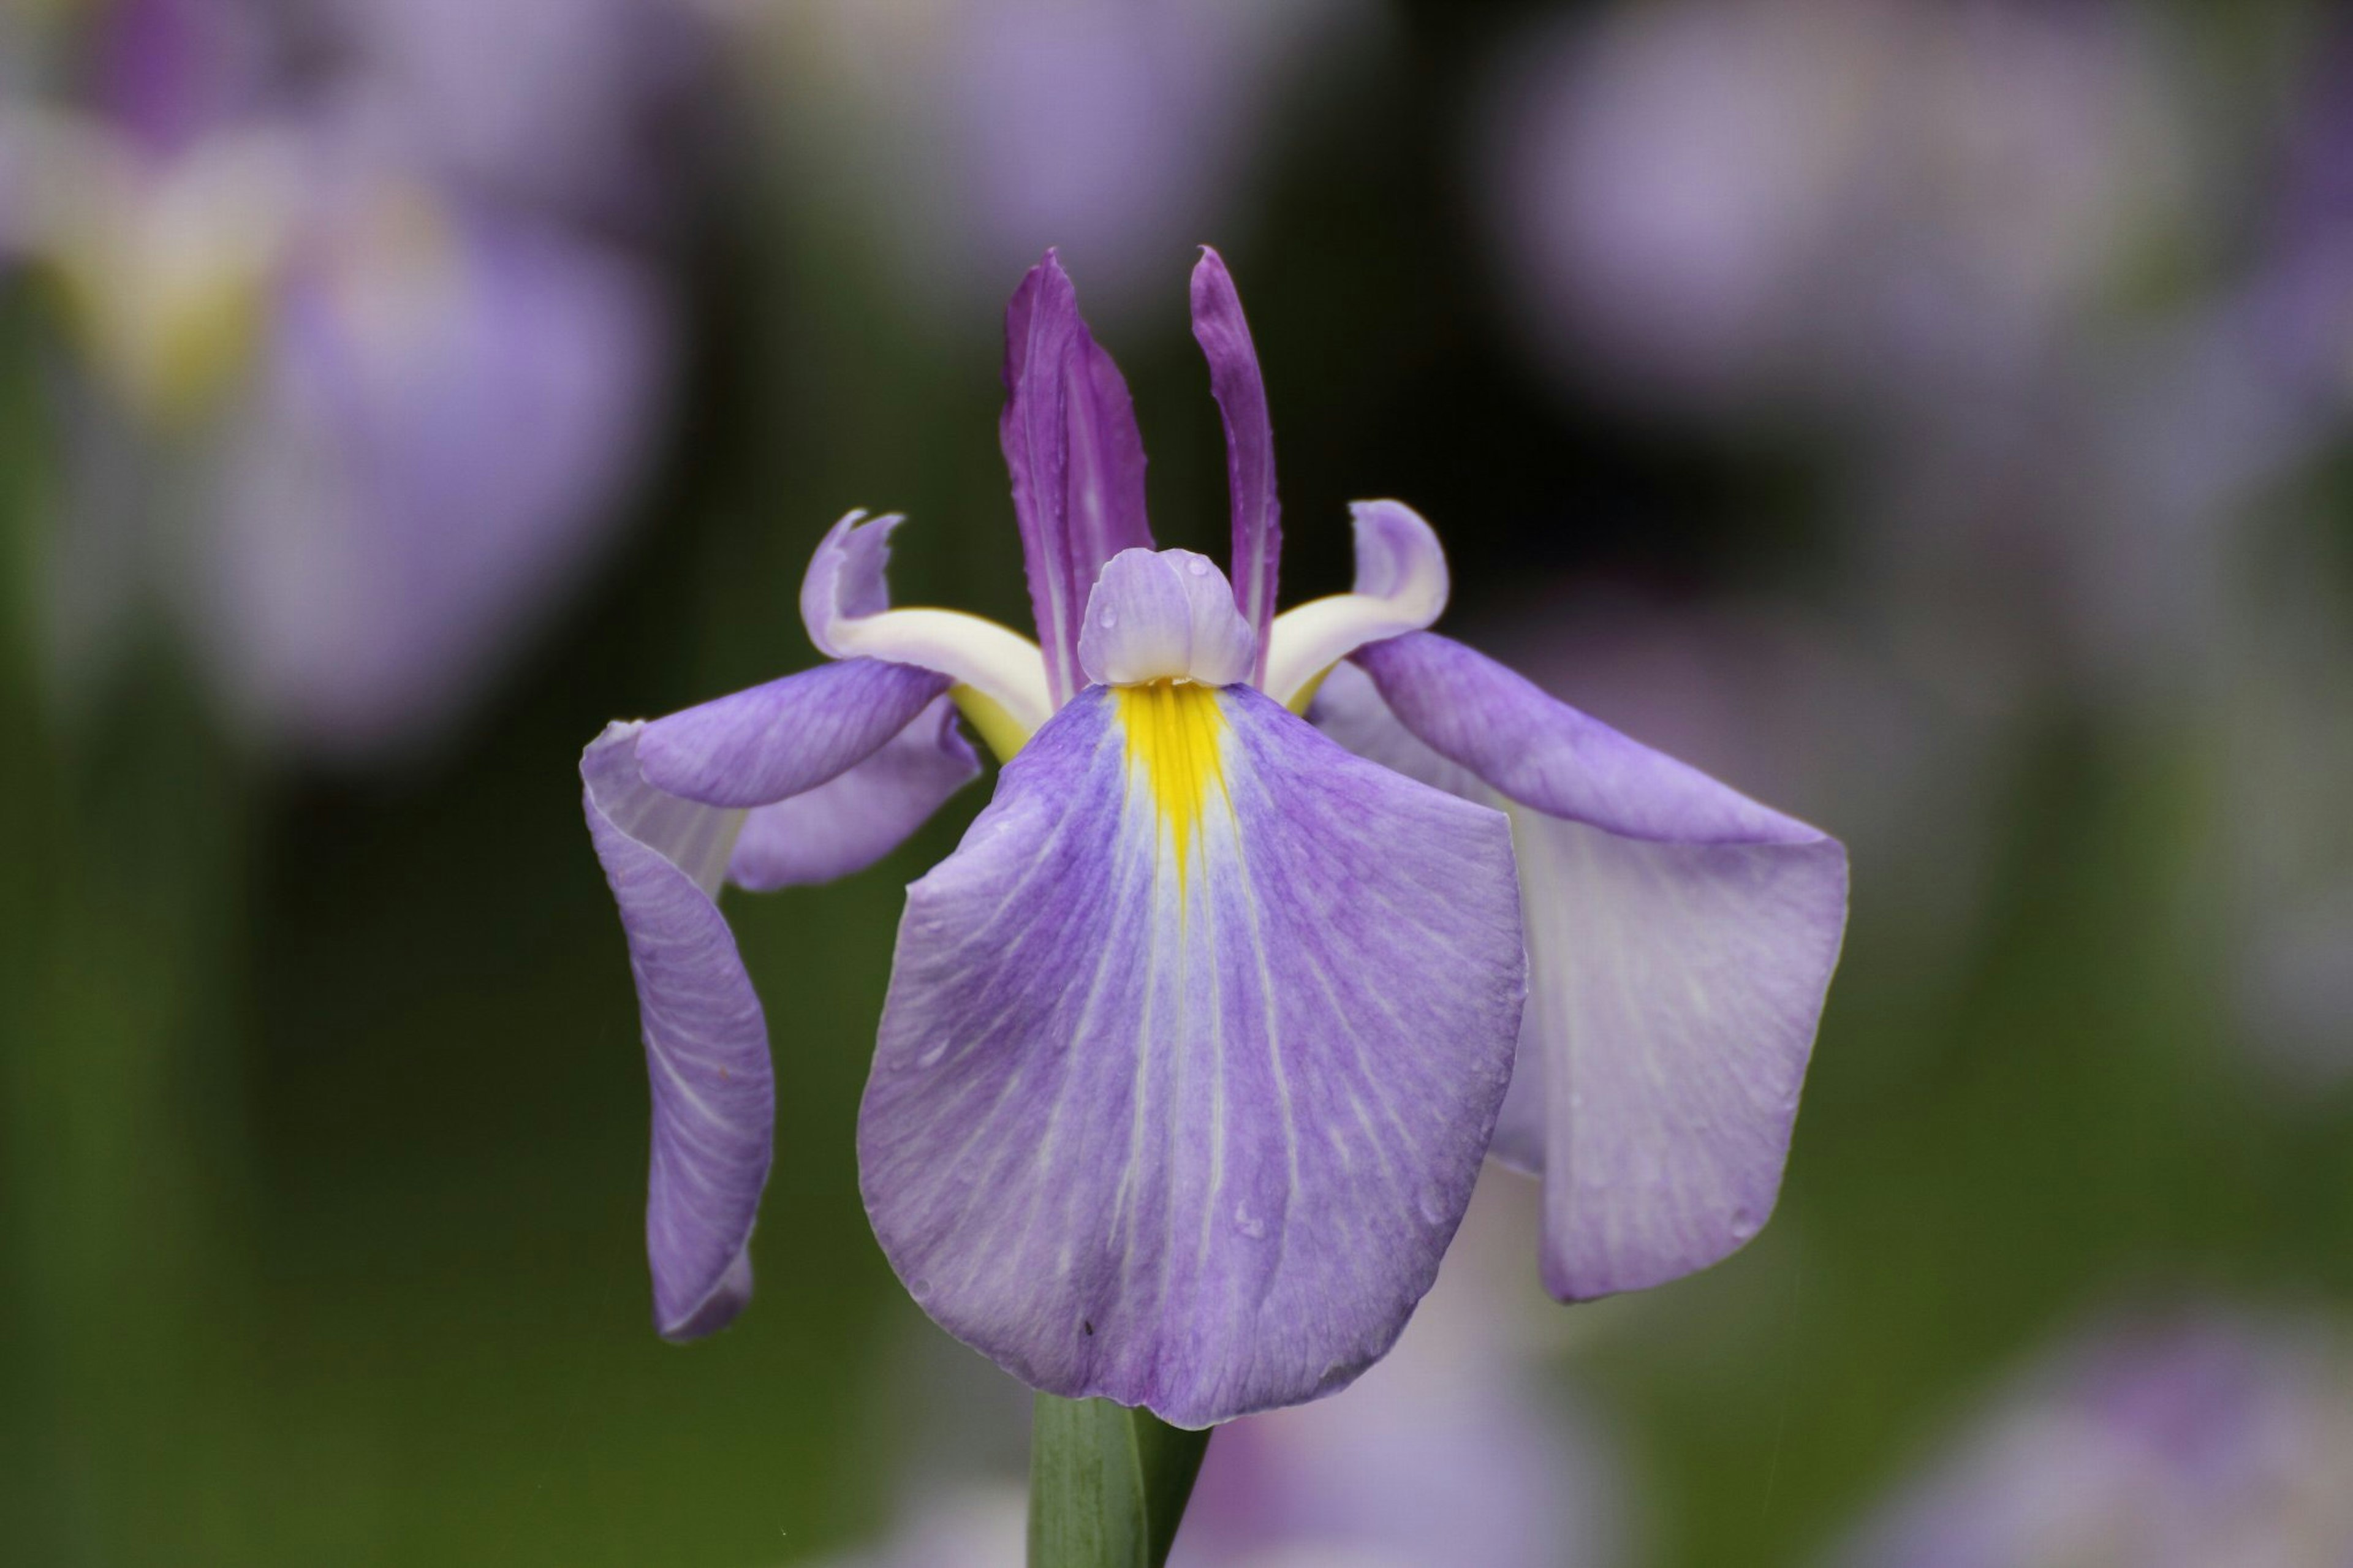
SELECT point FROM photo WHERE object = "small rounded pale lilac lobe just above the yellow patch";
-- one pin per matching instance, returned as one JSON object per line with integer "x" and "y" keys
{"x": 1164, "y": 616}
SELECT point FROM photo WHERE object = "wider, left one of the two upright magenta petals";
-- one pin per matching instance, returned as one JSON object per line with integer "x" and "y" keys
{"x": 1076, "y": 460}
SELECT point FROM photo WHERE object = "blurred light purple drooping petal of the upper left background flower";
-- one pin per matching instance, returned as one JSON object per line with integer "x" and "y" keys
{"x": 448, "y": 406}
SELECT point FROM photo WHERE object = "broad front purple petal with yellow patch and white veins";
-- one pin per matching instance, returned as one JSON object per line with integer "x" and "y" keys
{"x": 1192, "y": 1054}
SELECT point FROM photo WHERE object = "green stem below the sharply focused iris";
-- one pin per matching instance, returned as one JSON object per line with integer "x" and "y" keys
{"x": 1107, "y": 1484}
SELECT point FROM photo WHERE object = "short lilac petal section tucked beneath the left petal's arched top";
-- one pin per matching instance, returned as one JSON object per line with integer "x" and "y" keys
{"x": 860, "y": 816}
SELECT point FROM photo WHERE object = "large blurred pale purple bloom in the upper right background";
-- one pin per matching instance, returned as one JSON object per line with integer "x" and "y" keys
{"x": 1844, "y": 197}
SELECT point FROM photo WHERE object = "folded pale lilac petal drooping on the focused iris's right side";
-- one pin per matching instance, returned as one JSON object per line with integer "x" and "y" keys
{"x": 1681, "y": 941}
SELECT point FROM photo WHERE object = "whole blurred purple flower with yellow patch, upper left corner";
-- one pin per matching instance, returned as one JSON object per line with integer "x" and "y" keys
{"x": 354, "y": 413}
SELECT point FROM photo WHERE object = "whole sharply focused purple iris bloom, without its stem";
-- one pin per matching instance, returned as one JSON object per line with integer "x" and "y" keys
{"x": 1197, "y": 1044}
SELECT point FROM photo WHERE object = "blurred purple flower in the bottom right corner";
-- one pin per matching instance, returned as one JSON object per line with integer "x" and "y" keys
{"x": 2178, "y": 1442}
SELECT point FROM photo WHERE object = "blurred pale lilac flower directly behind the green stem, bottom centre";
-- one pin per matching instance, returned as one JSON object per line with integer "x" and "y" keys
{"x": 1451, "y": 1451}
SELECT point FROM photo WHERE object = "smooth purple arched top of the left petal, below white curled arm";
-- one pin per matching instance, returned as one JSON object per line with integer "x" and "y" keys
{"x": 789, "y": 736}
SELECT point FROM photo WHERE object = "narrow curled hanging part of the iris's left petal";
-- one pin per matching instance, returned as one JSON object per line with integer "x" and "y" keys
{"x": 705, "y": 1035}
